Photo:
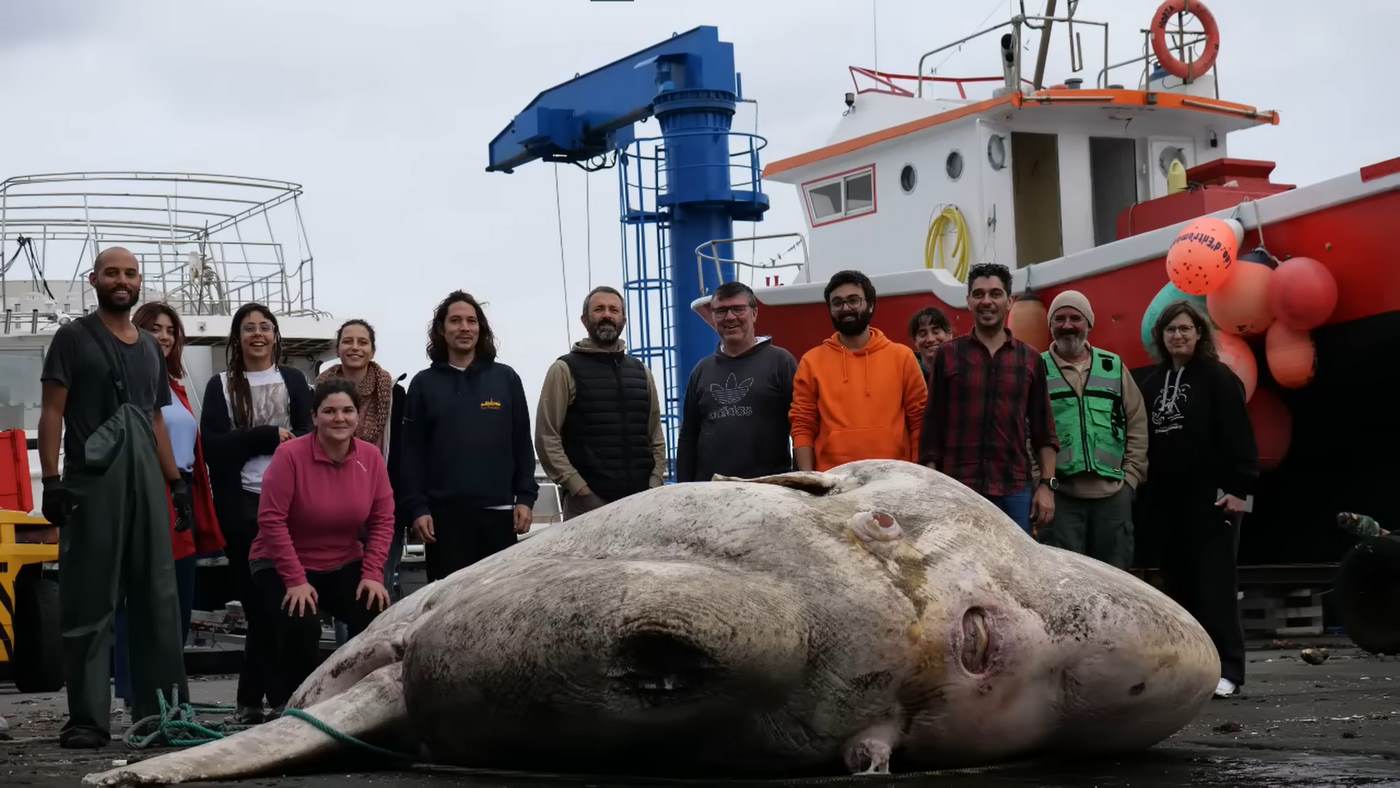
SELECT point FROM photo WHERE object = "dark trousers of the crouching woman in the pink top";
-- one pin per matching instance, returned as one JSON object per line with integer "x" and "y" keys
{"x": 296, "y": 640}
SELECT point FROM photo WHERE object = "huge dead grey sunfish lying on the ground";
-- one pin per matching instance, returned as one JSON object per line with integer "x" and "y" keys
{"x": 876, "y": 615}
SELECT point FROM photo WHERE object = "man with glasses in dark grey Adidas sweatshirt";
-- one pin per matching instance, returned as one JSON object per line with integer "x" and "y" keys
{"x": 736, "y": 418}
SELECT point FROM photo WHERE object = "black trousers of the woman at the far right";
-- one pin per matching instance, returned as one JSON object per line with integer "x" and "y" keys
{"x": 1199, "y": 547}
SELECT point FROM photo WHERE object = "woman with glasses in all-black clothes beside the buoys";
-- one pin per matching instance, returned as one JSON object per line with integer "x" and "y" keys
{"x": 1203, "y": 464}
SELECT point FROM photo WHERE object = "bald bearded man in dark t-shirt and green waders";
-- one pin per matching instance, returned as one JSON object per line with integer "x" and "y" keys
{"x": 104, "y": 387}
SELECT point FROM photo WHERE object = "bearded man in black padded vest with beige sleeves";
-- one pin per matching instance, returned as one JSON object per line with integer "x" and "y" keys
{"x": 598, "y": 425}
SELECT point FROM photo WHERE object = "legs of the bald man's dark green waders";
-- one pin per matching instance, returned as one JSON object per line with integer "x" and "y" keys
{"x": 117, "y": 547}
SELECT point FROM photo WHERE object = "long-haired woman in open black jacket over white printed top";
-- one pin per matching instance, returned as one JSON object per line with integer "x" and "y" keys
{"x": 248, "y": 412}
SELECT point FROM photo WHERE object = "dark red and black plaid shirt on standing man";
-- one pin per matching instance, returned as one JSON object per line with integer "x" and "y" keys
{"x": 982, "y": 411}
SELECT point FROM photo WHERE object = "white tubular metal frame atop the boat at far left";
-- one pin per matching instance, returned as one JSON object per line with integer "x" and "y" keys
{"x": 205, "y": 243}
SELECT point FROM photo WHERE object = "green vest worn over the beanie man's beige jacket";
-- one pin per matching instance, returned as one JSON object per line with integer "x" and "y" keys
{"x": 1093, "y": 428}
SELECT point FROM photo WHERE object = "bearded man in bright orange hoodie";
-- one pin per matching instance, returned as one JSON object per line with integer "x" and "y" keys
{"x": 857, "y": 395}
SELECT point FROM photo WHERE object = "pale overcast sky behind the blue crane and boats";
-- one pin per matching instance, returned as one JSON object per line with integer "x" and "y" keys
{"x": 383, "y": 111}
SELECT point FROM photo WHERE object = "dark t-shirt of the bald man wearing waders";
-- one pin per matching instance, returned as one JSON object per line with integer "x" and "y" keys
{"x": 76, "y": 363}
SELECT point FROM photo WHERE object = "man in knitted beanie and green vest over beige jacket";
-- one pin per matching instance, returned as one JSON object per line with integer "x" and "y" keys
{"x": 1101, "y": 421}
